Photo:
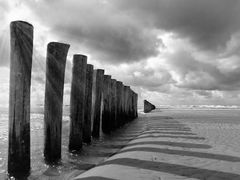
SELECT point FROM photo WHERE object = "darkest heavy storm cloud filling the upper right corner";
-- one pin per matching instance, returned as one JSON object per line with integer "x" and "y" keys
{"x": 207, "y": 23}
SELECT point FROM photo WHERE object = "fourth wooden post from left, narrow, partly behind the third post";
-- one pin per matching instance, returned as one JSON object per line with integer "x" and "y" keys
{"x": 88, "y": 105}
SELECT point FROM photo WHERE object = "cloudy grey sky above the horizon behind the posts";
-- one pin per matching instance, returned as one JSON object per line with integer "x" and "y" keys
{"x": 169, "y": 51}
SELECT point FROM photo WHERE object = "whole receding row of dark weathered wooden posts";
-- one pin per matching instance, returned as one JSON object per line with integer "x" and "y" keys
{"x": 97, "y": 102}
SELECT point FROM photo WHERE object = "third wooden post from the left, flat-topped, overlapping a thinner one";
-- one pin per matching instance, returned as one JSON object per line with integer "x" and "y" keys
{"x": 77, "y": 102}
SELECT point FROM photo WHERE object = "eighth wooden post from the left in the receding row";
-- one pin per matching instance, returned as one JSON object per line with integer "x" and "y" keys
{"x": 119, "y": 103}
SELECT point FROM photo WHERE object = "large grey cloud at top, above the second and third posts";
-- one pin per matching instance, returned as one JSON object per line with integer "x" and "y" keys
{"x": 101, "y": 29}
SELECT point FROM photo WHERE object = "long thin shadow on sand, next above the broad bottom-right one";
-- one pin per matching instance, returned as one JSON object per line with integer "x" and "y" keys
{"x": 185, "y": 153}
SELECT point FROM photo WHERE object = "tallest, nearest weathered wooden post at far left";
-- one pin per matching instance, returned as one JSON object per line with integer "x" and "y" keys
{"x": 19, "y": 98}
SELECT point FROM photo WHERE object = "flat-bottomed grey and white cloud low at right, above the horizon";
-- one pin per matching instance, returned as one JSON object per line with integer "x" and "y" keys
{"x": 204, "y": 75}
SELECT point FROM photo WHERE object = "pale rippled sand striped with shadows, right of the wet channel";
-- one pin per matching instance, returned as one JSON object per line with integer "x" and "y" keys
{"x": 178, "y": 144}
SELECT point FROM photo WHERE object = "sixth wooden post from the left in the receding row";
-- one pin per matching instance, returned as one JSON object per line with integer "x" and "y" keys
{"x": 106, "y": 116}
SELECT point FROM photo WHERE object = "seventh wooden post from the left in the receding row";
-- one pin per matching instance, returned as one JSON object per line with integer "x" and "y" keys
{"x": 113, "y": 104}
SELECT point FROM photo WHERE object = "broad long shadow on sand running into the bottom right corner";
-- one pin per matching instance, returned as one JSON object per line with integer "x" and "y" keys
{"x": 181, "y": 170}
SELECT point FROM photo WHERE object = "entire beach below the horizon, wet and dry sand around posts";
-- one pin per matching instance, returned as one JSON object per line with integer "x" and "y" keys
{"x": 164, "y": 144}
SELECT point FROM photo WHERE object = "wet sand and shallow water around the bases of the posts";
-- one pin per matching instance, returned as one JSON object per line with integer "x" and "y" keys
{"x": 72, "y": 164}
